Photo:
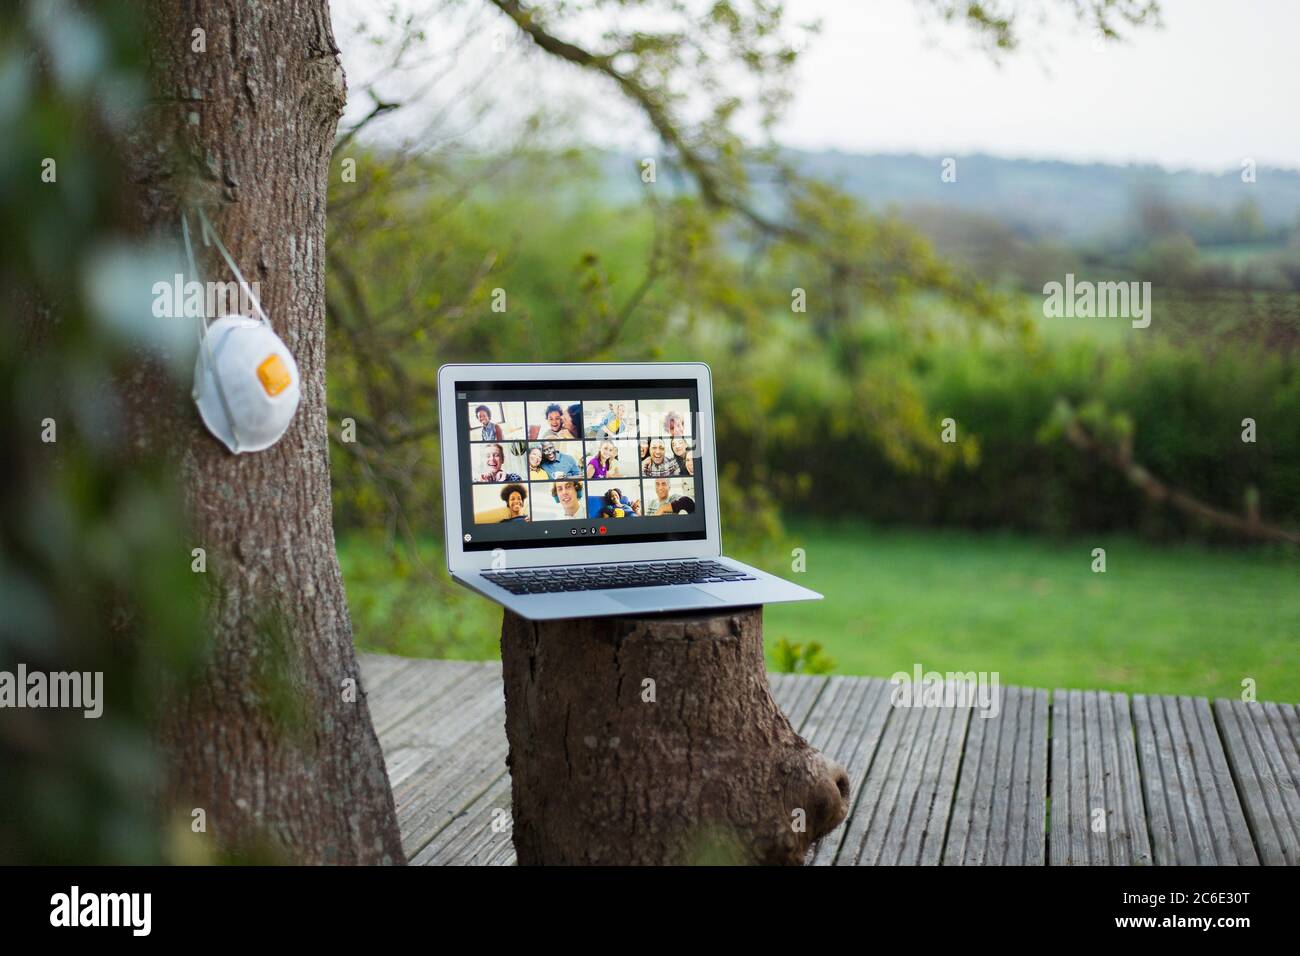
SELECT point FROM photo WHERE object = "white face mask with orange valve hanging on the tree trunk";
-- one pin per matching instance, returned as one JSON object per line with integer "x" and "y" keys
{"x": 246, "y": 382}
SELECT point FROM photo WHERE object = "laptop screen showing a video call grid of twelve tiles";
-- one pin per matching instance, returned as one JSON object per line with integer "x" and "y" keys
{"x": 564, "y": 464}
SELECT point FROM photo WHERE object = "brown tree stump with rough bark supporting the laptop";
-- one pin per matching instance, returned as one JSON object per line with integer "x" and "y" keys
{"x": 657, "y": 741}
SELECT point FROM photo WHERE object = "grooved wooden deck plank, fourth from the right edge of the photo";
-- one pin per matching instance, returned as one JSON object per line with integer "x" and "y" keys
{"x": 1000, "y": 811}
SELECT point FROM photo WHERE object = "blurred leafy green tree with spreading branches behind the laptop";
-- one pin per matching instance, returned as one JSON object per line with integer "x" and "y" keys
{"x": 423, "y": 232}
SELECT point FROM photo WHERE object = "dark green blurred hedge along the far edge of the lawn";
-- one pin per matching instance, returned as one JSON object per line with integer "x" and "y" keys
{"x": 1186, "y": 408}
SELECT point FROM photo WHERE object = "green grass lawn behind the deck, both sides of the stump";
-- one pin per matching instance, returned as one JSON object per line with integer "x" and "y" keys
{"x": 1159, "y": 621}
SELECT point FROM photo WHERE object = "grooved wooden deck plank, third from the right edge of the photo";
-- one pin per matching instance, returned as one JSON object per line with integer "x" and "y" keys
{"x": 1098, "y": 815}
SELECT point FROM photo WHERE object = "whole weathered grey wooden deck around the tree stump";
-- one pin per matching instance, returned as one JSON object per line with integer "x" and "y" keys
{"x": 1065, "y": 778}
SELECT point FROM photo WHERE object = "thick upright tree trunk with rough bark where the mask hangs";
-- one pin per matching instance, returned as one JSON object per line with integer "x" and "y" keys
{"x": 272, "y": 743}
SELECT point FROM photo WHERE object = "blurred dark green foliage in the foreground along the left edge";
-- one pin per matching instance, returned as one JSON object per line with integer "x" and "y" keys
{"x": 94, "y": 561}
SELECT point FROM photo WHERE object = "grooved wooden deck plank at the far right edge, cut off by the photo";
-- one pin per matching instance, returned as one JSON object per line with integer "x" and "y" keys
{"x": 1262, "y": 742}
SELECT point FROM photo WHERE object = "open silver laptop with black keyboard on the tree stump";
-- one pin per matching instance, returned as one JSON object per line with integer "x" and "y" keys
{"x": 587, "y": 491}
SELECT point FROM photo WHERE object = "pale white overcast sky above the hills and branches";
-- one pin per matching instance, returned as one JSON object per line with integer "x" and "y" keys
{"x": 1216, "y": 85}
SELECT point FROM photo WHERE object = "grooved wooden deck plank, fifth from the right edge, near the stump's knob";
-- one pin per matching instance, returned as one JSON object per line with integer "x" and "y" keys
{"x": 902, "y": 816}
